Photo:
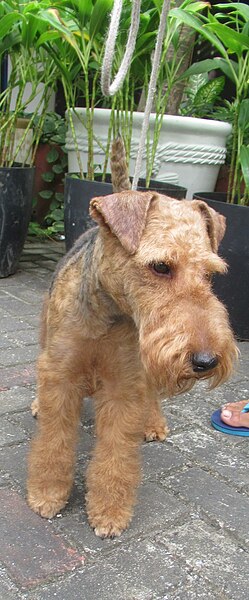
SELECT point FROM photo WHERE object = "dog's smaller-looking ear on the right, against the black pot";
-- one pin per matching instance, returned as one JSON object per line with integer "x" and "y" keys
{"x": 215, "y": 223}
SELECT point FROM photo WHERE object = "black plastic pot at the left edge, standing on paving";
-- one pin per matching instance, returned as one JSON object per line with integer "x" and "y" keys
{"x": 16, "y": 188}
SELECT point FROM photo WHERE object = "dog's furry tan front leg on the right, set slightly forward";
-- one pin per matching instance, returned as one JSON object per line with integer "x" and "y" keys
{"x": 114, "y": 472}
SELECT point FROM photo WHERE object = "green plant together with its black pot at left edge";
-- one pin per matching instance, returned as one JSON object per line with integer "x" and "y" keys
{"x": 30, "y": 68}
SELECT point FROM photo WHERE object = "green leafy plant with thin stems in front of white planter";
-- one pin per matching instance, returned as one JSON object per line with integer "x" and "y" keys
{"x": 75, "y": 38}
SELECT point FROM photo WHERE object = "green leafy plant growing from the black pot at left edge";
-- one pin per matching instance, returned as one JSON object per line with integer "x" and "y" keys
{"x": 30, "y": 67}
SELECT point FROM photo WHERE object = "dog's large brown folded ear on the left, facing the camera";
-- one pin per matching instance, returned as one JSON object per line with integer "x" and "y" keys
{"x": 124, "y": 214}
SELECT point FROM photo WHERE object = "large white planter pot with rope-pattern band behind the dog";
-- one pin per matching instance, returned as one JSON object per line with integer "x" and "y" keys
{"x": 189, "y": 153}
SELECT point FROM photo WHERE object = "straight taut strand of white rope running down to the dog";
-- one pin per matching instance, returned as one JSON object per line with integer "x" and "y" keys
{"x": 151, "y": 91}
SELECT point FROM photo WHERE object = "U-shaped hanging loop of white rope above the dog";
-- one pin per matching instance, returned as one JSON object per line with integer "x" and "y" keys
{"x": 108, "y": 88}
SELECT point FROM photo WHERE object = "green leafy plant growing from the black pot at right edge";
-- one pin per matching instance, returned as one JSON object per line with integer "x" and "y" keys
{"x": 228, "y": 32}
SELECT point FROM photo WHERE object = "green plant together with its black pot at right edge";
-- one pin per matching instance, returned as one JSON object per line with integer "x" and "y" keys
{"x": 227, "y": 30}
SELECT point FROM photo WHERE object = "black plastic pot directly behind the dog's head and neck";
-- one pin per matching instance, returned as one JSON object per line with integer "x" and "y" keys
{"x": 78, "y": 193}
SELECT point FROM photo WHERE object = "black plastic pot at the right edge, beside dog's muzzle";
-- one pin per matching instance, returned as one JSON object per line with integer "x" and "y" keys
{"x": 233, "y": 288}
